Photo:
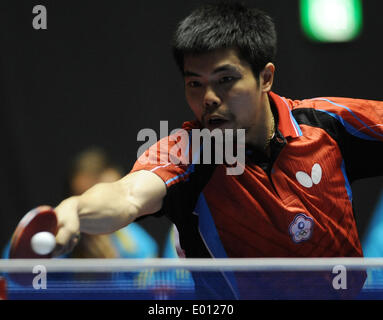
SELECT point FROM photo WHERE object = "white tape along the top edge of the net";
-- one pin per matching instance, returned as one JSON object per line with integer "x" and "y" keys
{"x": 237, "y": 264}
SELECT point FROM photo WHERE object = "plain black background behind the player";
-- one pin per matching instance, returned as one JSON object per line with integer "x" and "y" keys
{"x": 103, "y": 70}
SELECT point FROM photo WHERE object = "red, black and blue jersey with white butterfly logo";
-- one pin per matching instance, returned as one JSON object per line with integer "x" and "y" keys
{"x": 296, "y": 203}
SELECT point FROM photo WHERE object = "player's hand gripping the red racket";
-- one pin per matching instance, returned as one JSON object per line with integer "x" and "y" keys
{"x": 68, "y": 233}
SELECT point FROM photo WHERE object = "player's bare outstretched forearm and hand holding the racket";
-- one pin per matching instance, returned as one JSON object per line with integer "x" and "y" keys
{"x": 107, "y": 207}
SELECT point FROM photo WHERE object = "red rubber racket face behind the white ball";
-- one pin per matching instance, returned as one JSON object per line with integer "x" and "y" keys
{"x": 40, "y": 219}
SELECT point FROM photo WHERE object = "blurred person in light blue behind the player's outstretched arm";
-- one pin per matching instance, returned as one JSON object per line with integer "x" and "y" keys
{"x": 90, "y": 167}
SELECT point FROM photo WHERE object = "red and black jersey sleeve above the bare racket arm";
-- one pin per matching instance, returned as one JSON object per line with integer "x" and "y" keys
{"x": 171, "y": 158}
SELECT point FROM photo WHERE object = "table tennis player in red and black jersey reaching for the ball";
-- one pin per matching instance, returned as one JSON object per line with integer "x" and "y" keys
{"x": 294, "y": 197}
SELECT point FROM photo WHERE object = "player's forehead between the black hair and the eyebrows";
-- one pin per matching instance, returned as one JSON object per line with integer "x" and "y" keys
{"x": 214, "y": 61}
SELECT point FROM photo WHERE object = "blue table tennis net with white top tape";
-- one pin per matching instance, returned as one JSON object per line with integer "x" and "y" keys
{"x": 194, "y": 279}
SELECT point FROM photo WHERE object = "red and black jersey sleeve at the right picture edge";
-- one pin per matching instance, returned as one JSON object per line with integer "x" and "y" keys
{"x": 357, "y": 126}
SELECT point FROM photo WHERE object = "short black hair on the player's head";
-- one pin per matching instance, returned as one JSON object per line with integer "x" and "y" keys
{"x": 227, "y": 24}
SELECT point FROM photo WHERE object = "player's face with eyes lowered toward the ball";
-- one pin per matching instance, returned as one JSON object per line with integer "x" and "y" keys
{"x": 223, "y": 93}
